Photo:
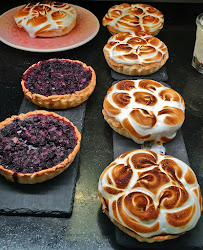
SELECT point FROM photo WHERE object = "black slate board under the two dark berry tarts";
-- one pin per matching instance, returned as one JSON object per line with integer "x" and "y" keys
{"x": 52, "y": 198}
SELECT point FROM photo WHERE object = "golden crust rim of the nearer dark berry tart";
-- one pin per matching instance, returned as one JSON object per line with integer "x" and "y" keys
{"x": 46, "y": 174}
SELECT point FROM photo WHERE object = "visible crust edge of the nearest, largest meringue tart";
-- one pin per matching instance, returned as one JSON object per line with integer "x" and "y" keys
{"x": 152, "y": 239}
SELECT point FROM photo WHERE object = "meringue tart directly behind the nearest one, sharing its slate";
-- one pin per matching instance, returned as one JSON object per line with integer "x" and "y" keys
{"x": 144, "y": 110}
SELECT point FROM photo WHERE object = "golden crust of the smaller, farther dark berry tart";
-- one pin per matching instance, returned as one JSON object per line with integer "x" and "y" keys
{"x": 61, "y": 101}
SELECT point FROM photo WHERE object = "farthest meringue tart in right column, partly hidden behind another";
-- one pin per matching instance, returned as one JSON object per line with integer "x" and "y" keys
{"x": 134, "y": 17}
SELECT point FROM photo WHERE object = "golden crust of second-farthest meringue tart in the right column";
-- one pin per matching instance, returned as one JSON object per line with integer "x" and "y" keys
{"x": 136, "y": 69}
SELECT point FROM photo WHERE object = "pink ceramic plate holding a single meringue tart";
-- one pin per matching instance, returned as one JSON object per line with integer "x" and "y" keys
{"x": 86, "y": 28}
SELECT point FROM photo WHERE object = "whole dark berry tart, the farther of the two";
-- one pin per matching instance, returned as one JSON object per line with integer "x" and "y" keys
{"x": 58, "y": 83}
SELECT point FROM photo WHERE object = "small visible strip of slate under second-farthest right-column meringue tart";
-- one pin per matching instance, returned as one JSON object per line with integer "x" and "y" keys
{"x": 160, "y": 75}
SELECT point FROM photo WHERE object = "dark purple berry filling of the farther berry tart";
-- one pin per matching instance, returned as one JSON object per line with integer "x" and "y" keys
{"x": 57, "y": 77}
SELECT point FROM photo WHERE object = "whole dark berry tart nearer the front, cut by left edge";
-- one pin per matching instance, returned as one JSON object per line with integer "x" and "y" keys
{"x": 37, "y": 146}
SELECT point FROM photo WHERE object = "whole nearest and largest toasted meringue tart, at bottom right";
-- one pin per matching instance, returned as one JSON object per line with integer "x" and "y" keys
{"x": 149, "y": 196}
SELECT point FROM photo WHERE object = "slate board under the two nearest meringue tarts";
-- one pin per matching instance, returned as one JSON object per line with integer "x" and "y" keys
{"x": 189, "y": 240}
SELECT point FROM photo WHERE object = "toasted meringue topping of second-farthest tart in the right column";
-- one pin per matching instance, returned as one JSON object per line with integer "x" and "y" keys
{"x": 135, "y": 48}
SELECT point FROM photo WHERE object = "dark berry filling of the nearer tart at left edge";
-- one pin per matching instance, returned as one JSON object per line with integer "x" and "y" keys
{"x": 38, "y": 142}
